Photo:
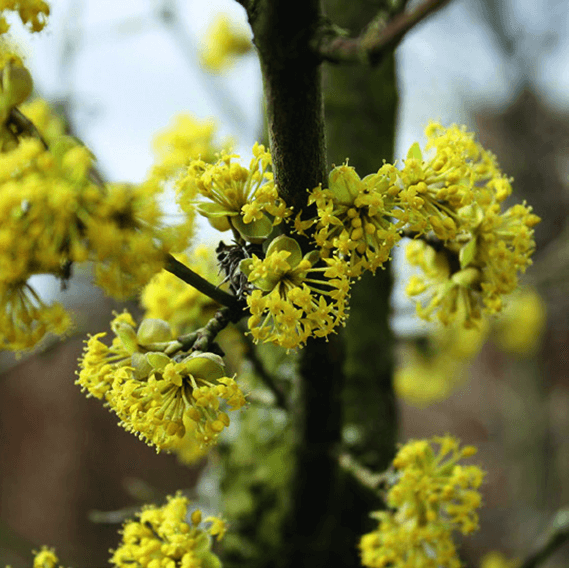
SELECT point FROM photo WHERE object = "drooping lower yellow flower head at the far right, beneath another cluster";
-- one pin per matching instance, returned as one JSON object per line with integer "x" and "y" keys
{"x": 472, "y": 274}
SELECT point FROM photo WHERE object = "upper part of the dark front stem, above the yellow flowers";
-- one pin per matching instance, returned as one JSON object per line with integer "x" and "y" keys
{"x": 293, "y": 95}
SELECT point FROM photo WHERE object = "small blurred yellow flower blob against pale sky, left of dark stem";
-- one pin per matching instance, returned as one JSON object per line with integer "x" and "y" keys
{"x": 223, "y": 44}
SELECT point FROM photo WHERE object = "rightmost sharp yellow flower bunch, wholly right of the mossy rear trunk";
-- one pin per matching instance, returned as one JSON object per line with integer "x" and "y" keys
{"x": 458, "y": 195}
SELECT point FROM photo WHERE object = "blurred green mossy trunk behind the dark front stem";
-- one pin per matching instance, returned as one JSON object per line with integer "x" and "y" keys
{"x": 361, "y": 107}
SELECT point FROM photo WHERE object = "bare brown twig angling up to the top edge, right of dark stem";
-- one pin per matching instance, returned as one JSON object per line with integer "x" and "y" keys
{"x": 378, "y": 38}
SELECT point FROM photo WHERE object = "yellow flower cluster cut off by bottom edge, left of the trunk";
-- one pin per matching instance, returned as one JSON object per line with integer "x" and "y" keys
{"x": 163, "y": 537}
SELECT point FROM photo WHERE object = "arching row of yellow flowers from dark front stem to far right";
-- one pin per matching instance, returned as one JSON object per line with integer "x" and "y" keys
{"x": 469, "y": 250}
